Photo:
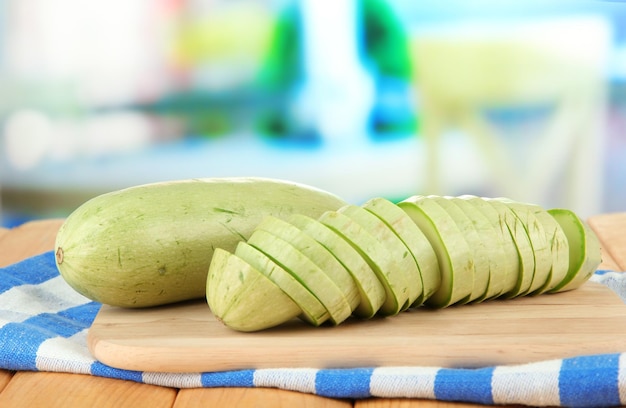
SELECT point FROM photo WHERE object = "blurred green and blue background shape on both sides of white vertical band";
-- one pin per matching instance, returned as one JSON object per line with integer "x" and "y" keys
{"x": 384, "y": 48}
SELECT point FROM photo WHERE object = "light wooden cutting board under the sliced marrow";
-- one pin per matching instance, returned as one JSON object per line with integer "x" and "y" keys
{"x": 187, "y": 338}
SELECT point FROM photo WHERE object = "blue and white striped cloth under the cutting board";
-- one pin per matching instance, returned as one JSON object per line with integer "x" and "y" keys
{"x": 44, "y": 323}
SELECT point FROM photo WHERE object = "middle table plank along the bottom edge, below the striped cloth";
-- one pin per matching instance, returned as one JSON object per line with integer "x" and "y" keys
{"x": 256, "y": 397}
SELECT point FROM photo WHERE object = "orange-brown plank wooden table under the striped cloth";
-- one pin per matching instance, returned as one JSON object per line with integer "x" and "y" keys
{"x": 49, "y": 390}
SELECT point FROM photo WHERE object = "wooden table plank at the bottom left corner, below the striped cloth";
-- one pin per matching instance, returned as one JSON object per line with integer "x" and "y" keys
{"x": 52, "y": 390}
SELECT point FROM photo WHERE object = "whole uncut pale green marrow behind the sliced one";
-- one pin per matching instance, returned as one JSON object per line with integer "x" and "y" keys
{"x": 152, "y": 244}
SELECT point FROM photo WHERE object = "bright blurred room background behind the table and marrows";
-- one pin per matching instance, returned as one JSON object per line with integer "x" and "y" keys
{"x": 363, "y": 98}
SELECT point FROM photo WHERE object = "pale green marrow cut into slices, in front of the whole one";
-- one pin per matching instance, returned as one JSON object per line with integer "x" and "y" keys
{"x": 425, "y": 251}
